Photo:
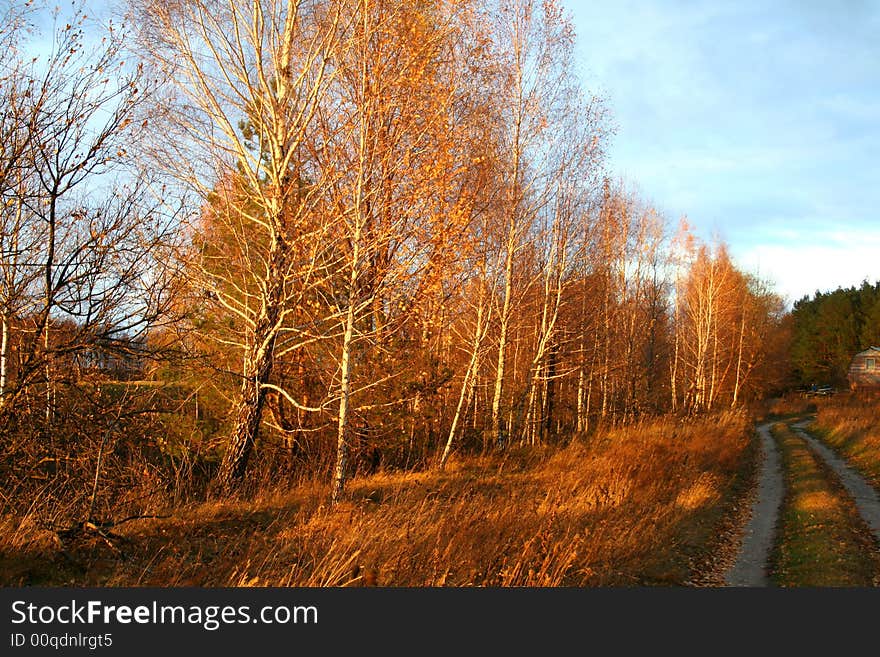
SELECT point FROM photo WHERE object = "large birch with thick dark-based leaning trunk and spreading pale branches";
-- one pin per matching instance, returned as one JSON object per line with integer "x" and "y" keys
{"x": 245, "y": 81}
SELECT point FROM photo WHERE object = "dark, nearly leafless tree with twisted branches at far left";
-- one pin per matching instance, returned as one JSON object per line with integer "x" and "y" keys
{"x": 80, "y": 237}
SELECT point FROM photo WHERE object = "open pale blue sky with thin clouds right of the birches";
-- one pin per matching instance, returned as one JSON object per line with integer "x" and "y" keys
{"x": 758, "y": 120}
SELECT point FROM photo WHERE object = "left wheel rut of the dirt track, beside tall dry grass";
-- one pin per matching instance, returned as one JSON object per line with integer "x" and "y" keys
{"x": 750, "y": 567}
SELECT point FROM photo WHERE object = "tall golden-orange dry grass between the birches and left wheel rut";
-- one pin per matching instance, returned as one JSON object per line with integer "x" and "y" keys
{"x": 637, "y": 506}
